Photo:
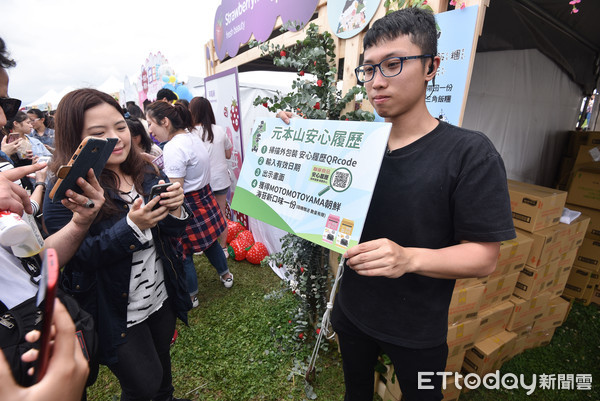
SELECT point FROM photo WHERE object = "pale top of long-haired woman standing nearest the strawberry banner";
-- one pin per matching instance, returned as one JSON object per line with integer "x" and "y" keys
{"x": 218, "y": 162}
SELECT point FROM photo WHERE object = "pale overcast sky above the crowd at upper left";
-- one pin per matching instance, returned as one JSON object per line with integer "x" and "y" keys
{"x": 78, "y": 43}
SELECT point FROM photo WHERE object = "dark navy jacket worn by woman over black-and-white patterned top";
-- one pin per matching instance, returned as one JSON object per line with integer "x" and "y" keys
{"x": 98, "y": 275}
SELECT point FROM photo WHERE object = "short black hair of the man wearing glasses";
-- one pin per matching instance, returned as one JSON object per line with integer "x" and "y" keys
{"x": 418, "y": 24}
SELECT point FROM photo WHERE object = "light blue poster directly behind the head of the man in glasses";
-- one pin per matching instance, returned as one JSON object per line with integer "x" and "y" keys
{"x": 455, "y": 48}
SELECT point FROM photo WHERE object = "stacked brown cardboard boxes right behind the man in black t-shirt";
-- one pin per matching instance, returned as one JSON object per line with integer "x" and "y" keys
{"x": 519, "y": 305}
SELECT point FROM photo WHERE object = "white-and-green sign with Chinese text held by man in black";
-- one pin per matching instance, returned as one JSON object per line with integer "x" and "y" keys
{"x": 312, "y": 178}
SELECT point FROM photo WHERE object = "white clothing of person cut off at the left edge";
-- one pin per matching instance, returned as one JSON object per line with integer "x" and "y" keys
{"x": 15, "y": 283}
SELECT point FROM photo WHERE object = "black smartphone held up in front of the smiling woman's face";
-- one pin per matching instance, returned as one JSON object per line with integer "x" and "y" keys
{"x": 91, "y": 153}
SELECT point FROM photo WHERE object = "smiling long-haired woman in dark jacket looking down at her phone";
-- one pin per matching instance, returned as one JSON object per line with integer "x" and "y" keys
{"x": 126, "y": 273}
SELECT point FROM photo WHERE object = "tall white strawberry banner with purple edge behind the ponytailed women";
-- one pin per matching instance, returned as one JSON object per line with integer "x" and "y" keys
{"x": 222, "y": 91}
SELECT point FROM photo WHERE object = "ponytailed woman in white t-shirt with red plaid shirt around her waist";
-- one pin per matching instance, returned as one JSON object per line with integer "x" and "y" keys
{"x": 187, "y": 162}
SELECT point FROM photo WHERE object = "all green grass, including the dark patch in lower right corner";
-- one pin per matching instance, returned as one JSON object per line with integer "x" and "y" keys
{"x": 233, "y": 349}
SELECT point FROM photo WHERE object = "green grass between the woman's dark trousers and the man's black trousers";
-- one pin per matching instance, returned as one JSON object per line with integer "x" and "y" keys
{"x": 232, "y": 348}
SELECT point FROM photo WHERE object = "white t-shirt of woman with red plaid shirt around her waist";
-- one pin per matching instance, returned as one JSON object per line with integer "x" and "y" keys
{"x": 185, "y": 156}
